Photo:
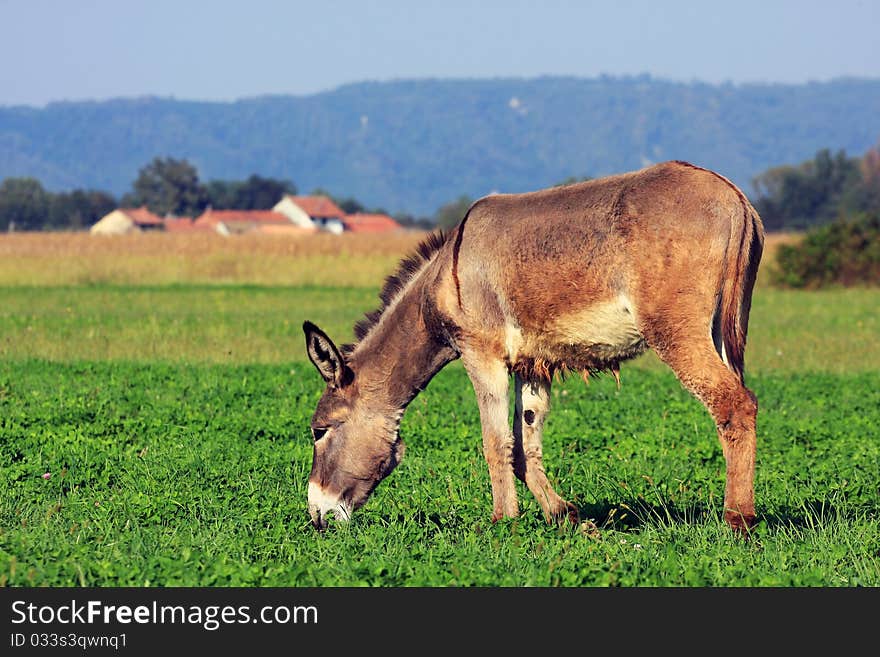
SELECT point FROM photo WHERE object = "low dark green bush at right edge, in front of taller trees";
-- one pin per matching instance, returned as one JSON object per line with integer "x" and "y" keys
{"x": 845, "y": 252}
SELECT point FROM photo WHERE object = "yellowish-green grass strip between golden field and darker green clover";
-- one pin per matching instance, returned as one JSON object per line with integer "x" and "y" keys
{"x": 835, "y": 331}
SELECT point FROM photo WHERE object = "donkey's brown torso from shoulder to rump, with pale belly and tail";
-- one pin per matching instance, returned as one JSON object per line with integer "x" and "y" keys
{"x": 587, "y": 275}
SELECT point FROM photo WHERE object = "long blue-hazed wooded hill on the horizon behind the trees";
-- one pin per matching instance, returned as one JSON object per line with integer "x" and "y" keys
{"x": 411, "y": 146}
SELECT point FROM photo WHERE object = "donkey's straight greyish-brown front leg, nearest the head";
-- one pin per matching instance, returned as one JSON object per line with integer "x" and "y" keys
{"x": 491, "y": 383}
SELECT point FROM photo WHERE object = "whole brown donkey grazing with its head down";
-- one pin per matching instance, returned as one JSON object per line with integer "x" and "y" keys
{"x": 573, "y": 278}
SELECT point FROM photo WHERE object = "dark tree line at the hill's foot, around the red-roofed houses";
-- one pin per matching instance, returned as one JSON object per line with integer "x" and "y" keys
{"x": 788, "y": 197}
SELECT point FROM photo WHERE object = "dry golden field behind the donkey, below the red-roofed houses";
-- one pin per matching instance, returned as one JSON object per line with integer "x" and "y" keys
{"x": 362, "y": 260}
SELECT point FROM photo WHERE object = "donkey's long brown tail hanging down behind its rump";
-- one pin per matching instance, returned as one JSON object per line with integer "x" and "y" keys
{"x": 741, "y": 269}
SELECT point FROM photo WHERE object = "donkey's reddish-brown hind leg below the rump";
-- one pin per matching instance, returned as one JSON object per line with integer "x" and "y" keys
{"x": 734, "y": 408}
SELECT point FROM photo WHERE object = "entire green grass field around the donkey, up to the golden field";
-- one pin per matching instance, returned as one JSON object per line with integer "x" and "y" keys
{"x": 173, "y": 421}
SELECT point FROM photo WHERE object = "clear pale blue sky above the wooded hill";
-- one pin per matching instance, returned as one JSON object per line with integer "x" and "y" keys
{"x": 223, "y": 50}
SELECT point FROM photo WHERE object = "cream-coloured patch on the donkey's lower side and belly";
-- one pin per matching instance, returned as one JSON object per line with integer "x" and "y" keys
{"x": 596, "y": 337}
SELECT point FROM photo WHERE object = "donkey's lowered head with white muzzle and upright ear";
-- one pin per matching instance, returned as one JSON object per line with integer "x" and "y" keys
{"x": 356, "y": 435}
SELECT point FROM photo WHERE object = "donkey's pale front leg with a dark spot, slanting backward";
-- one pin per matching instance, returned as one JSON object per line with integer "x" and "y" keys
{"x": 532, "y": 405}
